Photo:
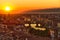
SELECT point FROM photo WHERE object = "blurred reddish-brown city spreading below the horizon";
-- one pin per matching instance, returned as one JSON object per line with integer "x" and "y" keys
{"x": 30, "y": 26}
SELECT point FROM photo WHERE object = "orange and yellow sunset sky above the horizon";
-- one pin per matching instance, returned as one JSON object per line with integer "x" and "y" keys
{"x": 29, "y": 4}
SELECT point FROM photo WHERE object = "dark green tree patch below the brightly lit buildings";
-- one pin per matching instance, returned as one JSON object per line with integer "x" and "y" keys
{"x": 39, "y": 32}
